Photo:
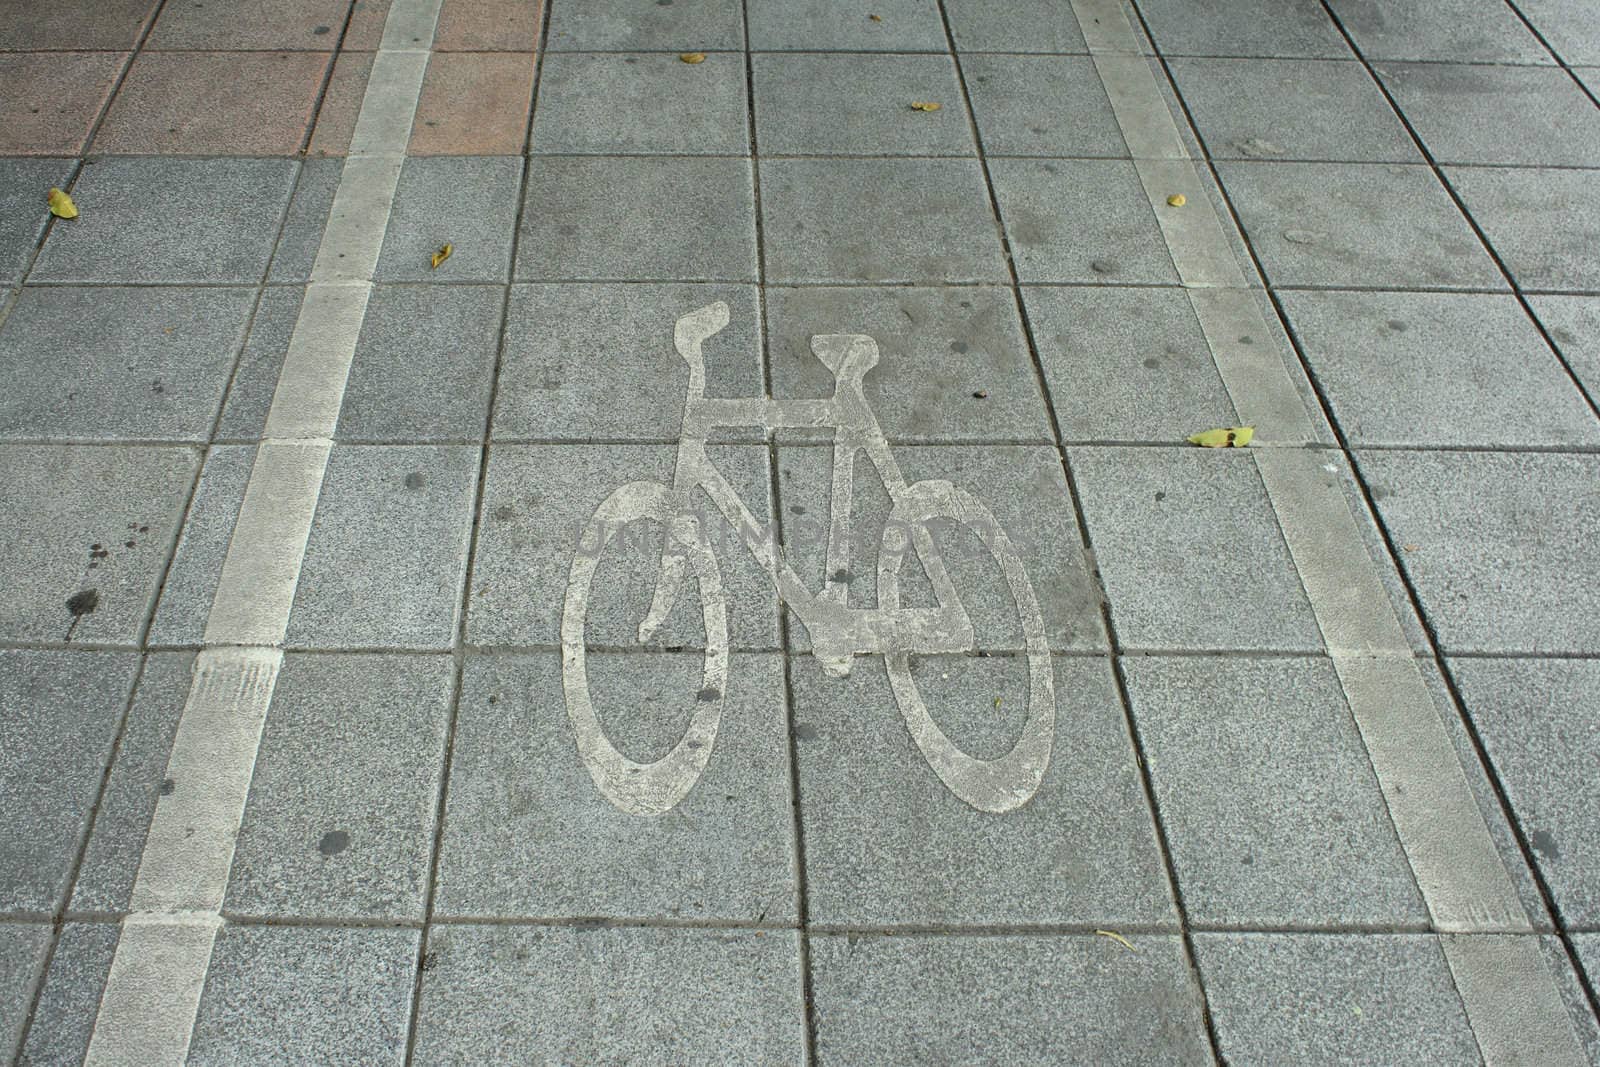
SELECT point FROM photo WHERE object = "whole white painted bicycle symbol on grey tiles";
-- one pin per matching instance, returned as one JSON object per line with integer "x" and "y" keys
{"x": 839, "y": 633}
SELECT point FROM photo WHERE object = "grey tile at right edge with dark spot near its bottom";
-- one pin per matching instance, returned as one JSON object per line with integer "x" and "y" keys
{"x": 1535, "y": 717}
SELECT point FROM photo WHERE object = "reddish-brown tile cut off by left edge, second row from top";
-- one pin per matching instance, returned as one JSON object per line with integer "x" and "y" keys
{"x": 49, "y": 100}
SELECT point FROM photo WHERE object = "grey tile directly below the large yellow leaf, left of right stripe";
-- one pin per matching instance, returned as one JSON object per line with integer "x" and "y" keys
{"x": 1154, "y": 513}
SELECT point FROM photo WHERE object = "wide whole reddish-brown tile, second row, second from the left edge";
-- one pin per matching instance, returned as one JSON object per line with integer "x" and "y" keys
{"x": 215, "y": 103}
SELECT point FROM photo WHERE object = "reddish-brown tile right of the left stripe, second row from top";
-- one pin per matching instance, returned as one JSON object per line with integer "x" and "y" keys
{"x": 474, "y": 103}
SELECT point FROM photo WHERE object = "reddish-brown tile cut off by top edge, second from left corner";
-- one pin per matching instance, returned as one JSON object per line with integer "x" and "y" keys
{"x": 250, "y": 25}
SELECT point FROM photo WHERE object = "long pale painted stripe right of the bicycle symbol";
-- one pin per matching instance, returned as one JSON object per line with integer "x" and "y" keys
{"x": 1489, "y": 941}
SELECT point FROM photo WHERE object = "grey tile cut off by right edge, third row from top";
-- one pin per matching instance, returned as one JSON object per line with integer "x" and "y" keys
{"x": 1538, "y": 222}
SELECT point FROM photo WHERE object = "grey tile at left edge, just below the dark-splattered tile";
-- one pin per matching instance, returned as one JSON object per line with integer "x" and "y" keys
{"x": 58, "y": 719}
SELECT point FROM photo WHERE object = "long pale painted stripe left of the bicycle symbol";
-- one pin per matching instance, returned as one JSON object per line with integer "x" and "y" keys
{"x": 153, "y": 991}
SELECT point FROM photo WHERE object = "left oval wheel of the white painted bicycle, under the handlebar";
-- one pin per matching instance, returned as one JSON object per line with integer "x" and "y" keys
{"x": 644, "y": 788}
